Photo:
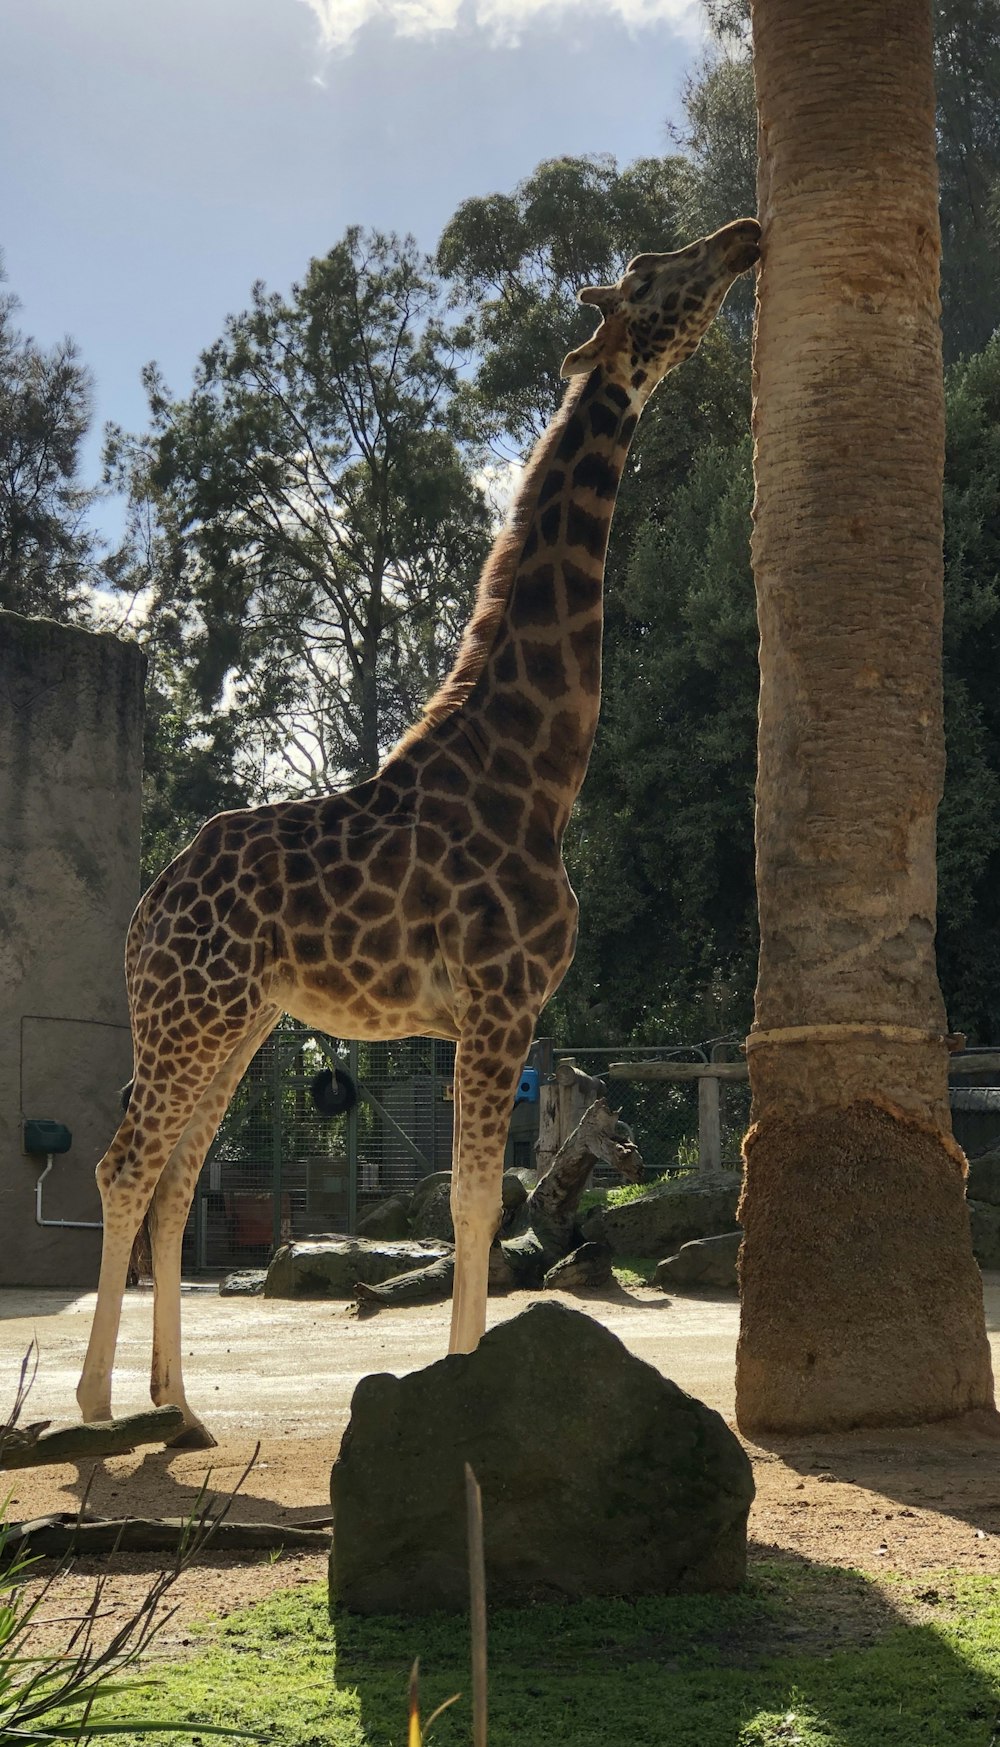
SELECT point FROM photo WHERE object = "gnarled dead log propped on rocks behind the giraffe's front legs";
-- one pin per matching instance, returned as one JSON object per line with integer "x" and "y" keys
{"x": 543, "y": 1231}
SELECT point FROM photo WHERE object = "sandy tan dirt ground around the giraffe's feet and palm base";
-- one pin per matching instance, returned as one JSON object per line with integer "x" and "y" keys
{"x": 282, "y": 1374}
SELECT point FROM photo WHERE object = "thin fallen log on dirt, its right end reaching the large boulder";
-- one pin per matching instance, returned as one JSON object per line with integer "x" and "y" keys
{"x": 62, "y": 1533}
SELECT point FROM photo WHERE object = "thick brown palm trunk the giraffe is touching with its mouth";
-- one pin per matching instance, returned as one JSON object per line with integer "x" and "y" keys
{"x": 861, "y": 1299}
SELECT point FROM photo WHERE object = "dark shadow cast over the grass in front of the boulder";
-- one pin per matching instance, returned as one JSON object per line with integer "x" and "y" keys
{"x": 805, "y": 1647}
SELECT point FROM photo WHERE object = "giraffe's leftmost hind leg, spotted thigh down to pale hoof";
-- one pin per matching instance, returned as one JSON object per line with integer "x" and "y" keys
{"x": 167, "y": 1089}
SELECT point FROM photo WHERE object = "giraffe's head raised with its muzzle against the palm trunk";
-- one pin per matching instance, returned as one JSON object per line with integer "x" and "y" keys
{"x": 662, "y": 307}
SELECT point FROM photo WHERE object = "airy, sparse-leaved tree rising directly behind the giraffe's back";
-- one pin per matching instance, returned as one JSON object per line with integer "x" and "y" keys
{"x": 319, "y": 518}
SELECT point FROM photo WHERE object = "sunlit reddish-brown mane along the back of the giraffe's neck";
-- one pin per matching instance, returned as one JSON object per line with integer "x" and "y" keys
{"x": 497, "y": 577}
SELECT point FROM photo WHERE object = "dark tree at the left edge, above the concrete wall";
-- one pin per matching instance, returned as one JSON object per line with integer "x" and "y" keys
{"x": 46, "y": 549}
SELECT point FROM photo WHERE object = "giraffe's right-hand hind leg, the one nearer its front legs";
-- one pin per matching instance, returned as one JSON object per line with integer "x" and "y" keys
{"x": 167, "y": 1222}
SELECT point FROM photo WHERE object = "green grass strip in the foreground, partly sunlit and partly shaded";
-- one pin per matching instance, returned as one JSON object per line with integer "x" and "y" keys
{"x": 805, "y": 1657}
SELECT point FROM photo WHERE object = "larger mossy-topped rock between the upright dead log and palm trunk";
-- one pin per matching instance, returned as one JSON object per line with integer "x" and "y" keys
{"x": 674, "y": 1213}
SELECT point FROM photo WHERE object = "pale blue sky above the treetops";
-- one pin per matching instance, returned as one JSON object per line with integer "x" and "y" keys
{"x": 165, "y": 155}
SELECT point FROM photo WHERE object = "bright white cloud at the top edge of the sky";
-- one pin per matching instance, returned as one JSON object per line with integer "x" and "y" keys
{"x": 501, "y": 20}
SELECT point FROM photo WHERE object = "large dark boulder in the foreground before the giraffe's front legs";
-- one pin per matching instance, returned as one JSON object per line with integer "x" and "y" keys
{"x": 599, "y": 1477}
